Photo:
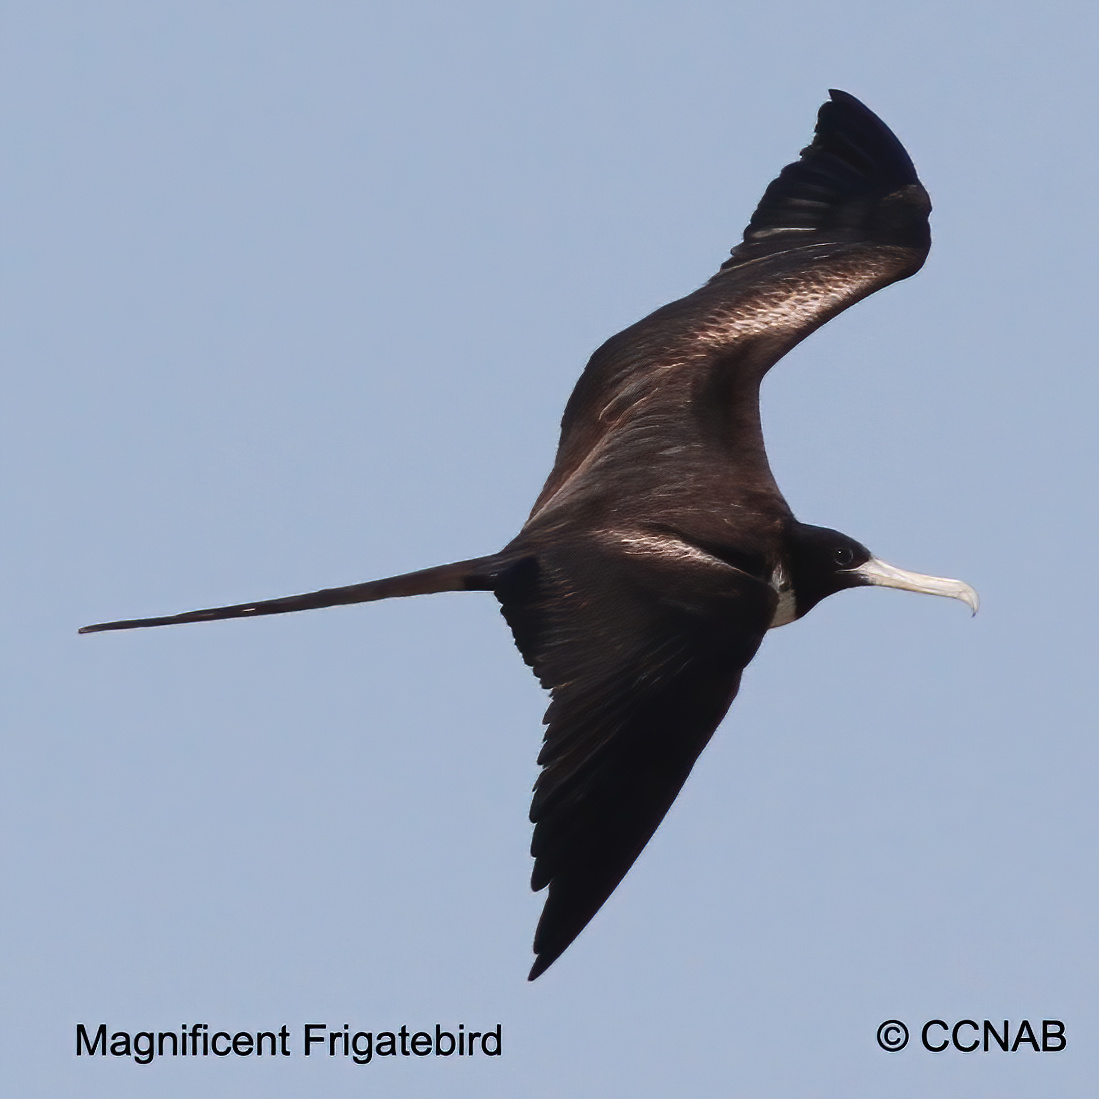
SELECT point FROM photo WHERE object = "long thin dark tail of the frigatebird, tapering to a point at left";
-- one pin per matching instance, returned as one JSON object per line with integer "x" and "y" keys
{"x": 475, "y": 575}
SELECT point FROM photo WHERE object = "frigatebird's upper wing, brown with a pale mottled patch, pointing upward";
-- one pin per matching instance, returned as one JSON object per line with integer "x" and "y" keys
{"x": 846, "y": 220}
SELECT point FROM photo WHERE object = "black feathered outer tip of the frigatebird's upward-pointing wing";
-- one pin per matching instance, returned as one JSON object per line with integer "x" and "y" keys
{"x": 853, "y": 183}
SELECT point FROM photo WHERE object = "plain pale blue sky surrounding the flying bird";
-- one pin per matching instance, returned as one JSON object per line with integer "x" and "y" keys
{"x": 294, "y": 297}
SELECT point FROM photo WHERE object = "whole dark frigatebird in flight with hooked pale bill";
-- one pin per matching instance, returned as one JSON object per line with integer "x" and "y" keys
{"x": 661, "y": 551}
